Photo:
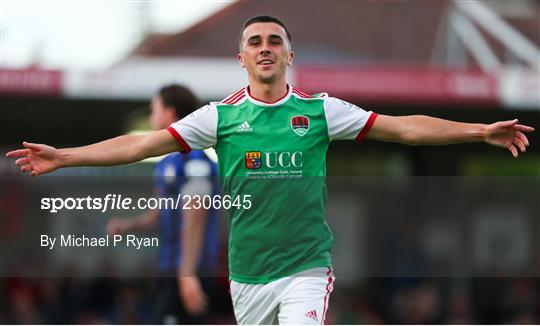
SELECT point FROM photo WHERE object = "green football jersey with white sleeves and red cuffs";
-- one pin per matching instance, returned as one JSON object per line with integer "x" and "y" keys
{"x": 272, "y": 161}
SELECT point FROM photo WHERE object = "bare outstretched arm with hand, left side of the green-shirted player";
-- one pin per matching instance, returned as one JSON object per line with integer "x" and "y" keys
{"x": 40, "y": 159}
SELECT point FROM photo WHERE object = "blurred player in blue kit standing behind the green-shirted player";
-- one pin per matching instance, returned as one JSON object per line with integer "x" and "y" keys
{"x": 188, "y": 237}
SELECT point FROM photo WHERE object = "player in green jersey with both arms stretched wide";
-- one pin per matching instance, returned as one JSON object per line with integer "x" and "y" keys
{"x": 271, "y": 139}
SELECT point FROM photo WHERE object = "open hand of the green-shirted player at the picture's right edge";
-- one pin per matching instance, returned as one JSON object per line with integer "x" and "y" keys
{"x": 508, "y": 134}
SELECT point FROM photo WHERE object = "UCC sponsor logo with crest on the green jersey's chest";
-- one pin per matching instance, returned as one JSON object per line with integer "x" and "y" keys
{"x": 255, "y": 159}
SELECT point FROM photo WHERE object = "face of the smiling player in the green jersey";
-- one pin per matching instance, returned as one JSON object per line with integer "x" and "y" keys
{"x": 265, "y": 52}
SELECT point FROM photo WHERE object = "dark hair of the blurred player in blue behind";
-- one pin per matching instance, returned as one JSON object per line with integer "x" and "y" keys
{"x": 180, "y": 98}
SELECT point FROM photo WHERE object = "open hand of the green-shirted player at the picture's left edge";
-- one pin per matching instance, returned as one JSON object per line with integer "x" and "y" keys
{"x": 36, "y": 158}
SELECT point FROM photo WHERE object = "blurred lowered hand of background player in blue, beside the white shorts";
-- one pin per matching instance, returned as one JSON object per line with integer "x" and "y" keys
{"x": 192, "y": 295}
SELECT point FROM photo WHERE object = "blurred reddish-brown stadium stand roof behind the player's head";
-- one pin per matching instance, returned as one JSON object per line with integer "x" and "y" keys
{"x": 413, "y": 32}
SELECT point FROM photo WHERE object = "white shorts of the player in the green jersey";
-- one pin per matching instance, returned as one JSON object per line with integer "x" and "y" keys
{"x": 298, "y": 299}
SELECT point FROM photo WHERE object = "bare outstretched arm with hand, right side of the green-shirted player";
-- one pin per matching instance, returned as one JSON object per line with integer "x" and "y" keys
{"x": 424, "y": 130}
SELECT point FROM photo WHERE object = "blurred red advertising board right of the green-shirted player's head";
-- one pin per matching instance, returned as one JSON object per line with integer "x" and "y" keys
{"x": 400, "y": 85}
